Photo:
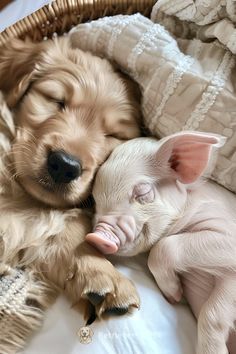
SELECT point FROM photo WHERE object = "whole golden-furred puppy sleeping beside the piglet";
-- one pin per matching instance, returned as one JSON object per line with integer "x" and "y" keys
{"x": 70, "y": 110}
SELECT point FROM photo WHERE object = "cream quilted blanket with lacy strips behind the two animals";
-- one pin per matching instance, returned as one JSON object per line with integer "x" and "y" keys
{"x": 187, "y": 82}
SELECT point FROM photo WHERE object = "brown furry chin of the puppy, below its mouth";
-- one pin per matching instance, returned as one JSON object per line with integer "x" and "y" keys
{"x": 53, "y": 198}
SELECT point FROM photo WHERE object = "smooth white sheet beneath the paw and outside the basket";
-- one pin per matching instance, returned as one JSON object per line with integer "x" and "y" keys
{"x": 157, "y": 327}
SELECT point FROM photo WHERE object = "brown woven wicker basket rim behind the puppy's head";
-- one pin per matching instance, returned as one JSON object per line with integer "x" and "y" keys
{"x": 58, "y": 17}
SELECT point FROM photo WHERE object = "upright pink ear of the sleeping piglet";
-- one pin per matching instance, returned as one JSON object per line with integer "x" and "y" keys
{"x": 189, "y": 153}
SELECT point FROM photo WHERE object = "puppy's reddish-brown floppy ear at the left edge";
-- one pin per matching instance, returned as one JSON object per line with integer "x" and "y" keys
{"x": 17, "y": 63}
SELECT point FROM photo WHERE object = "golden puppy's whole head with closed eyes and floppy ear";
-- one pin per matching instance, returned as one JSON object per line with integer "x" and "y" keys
{"x": 71, "y": 110}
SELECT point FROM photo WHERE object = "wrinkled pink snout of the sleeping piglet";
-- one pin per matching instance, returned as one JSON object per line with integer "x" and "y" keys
{"x": 111, "y": 232}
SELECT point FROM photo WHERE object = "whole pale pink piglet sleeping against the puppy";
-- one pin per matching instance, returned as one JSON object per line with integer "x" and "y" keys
{"x": 149, "y": 196}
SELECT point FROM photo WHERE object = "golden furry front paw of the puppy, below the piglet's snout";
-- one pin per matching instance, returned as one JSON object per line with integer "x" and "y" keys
{"x": 95, "y": 279}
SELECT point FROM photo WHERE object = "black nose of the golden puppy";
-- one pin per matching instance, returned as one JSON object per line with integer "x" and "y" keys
{"x": 62, "y": 167}
